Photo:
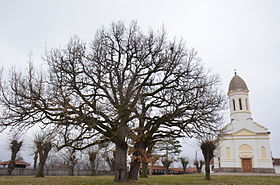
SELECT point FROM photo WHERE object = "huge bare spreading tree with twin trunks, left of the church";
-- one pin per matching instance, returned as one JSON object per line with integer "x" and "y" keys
{"x": 127, "y": 87}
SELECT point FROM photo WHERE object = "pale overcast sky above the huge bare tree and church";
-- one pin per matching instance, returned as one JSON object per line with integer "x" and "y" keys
{"x": 228, "y": 35}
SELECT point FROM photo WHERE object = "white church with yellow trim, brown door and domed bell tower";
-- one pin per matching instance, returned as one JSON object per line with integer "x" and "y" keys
{"x": 245, "y": 145}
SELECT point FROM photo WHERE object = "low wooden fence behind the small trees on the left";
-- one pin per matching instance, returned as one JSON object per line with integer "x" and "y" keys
{"x": 52, "y": 172}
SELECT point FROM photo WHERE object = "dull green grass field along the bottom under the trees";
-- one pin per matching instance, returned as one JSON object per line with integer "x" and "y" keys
{"x": 152, "y": 180}
